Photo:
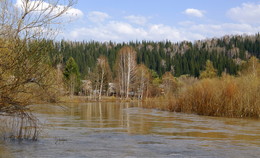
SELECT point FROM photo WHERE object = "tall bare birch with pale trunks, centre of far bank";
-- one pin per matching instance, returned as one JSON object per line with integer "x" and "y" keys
{"x": 126, "y": 69}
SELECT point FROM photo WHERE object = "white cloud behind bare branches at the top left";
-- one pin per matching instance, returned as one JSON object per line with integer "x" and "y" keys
{"x": 44, "y": 7}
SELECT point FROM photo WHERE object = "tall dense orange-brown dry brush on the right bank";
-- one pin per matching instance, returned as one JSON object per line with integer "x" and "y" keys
{"x": 227, "y": 96}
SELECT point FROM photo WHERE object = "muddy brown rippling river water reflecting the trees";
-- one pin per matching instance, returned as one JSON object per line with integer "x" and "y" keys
{"x": 125, "y": 130}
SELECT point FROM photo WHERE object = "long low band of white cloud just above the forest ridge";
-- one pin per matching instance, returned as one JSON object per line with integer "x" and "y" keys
{"x": 120, "y": 31}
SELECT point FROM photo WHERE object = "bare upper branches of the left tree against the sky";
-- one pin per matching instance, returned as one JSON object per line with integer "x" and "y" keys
{"x": 29, "y": 19}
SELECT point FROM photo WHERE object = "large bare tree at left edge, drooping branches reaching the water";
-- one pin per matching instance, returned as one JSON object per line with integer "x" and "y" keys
{"x": 24, "y": 70}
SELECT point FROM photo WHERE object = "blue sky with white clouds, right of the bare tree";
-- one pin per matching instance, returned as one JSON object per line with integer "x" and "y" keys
{"x": 157, "y": 20}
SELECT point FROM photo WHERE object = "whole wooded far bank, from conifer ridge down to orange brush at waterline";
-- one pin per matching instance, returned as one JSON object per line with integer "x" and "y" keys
{"x": 208, "y": 77}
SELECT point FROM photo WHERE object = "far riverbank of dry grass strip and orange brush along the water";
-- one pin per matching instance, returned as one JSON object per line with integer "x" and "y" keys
{"x": 227, "y": 96}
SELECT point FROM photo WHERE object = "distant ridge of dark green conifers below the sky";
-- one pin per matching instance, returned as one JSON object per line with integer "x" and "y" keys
{"x": 183, "y": 58}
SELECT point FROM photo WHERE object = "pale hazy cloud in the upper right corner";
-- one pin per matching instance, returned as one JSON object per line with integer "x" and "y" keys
{"x": 247, "y": 13}
